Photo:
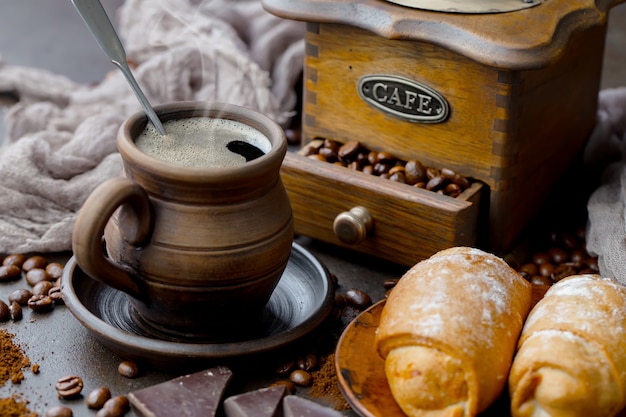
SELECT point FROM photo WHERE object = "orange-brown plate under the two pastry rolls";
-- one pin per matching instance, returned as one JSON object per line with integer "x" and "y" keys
{"x": 361, "y": 371}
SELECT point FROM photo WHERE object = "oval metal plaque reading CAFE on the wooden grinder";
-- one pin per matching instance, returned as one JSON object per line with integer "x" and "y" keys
{"x": 403, "y": 98}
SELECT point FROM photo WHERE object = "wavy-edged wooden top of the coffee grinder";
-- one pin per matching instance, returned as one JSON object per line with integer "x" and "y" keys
{"x": 528, "y": 38}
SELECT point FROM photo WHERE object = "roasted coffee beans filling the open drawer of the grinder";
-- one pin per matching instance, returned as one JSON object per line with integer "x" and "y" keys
{"x": 354, "y": 155}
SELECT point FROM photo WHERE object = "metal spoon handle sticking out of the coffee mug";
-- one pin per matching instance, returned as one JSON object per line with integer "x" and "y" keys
{"x": 98, "y": 22}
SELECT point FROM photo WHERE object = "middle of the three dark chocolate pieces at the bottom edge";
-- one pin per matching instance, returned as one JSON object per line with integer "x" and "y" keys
{"x": 264, "y": 402}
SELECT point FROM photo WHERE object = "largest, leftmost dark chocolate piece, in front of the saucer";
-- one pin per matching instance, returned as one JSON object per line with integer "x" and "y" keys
{"x": 197, "y": 394}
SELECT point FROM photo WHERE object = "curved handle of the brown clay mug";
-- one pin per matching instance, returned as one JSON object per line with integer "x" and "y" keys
{"x": 135, "y": 227}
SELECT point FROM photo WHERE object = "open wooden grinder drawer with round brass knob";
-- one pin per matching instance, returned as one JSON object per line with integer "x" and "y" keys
{"x": 390, "y": 220}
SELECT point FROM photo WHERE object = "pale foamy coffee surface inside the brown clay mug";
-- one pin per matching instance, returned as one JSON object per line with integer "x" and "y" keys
{"x": 200, "y": 142}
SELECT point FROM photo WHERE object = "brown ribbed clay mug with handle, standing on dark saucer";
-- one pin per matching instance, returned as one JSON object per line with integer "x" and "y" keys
{"x": 198, "y": 250}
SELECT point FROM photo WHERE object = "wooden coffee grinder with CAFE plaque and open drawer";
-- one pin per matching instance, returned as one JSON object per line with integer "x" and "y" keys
{"x": 501, "y": 91}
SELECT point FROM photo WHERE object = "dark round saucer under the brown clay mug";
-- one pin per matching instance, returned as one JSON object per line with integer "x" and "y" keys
{"x": 301, "y": 301}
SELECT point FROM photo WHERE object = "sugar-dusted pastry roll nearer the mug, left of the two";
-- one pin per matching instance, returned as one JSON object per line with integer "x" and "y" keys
{"x": 448, "y": 332}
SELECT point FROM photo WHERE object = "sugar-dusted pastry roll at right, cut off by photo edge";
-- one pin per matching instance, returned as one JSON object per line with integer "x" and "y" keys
{"x": 571, "y": 358}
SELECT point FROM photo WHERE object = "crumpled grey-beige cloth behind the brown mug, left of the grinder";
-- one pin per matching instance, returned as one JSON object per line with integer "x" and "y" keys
{"x": 60, "y": 136}
